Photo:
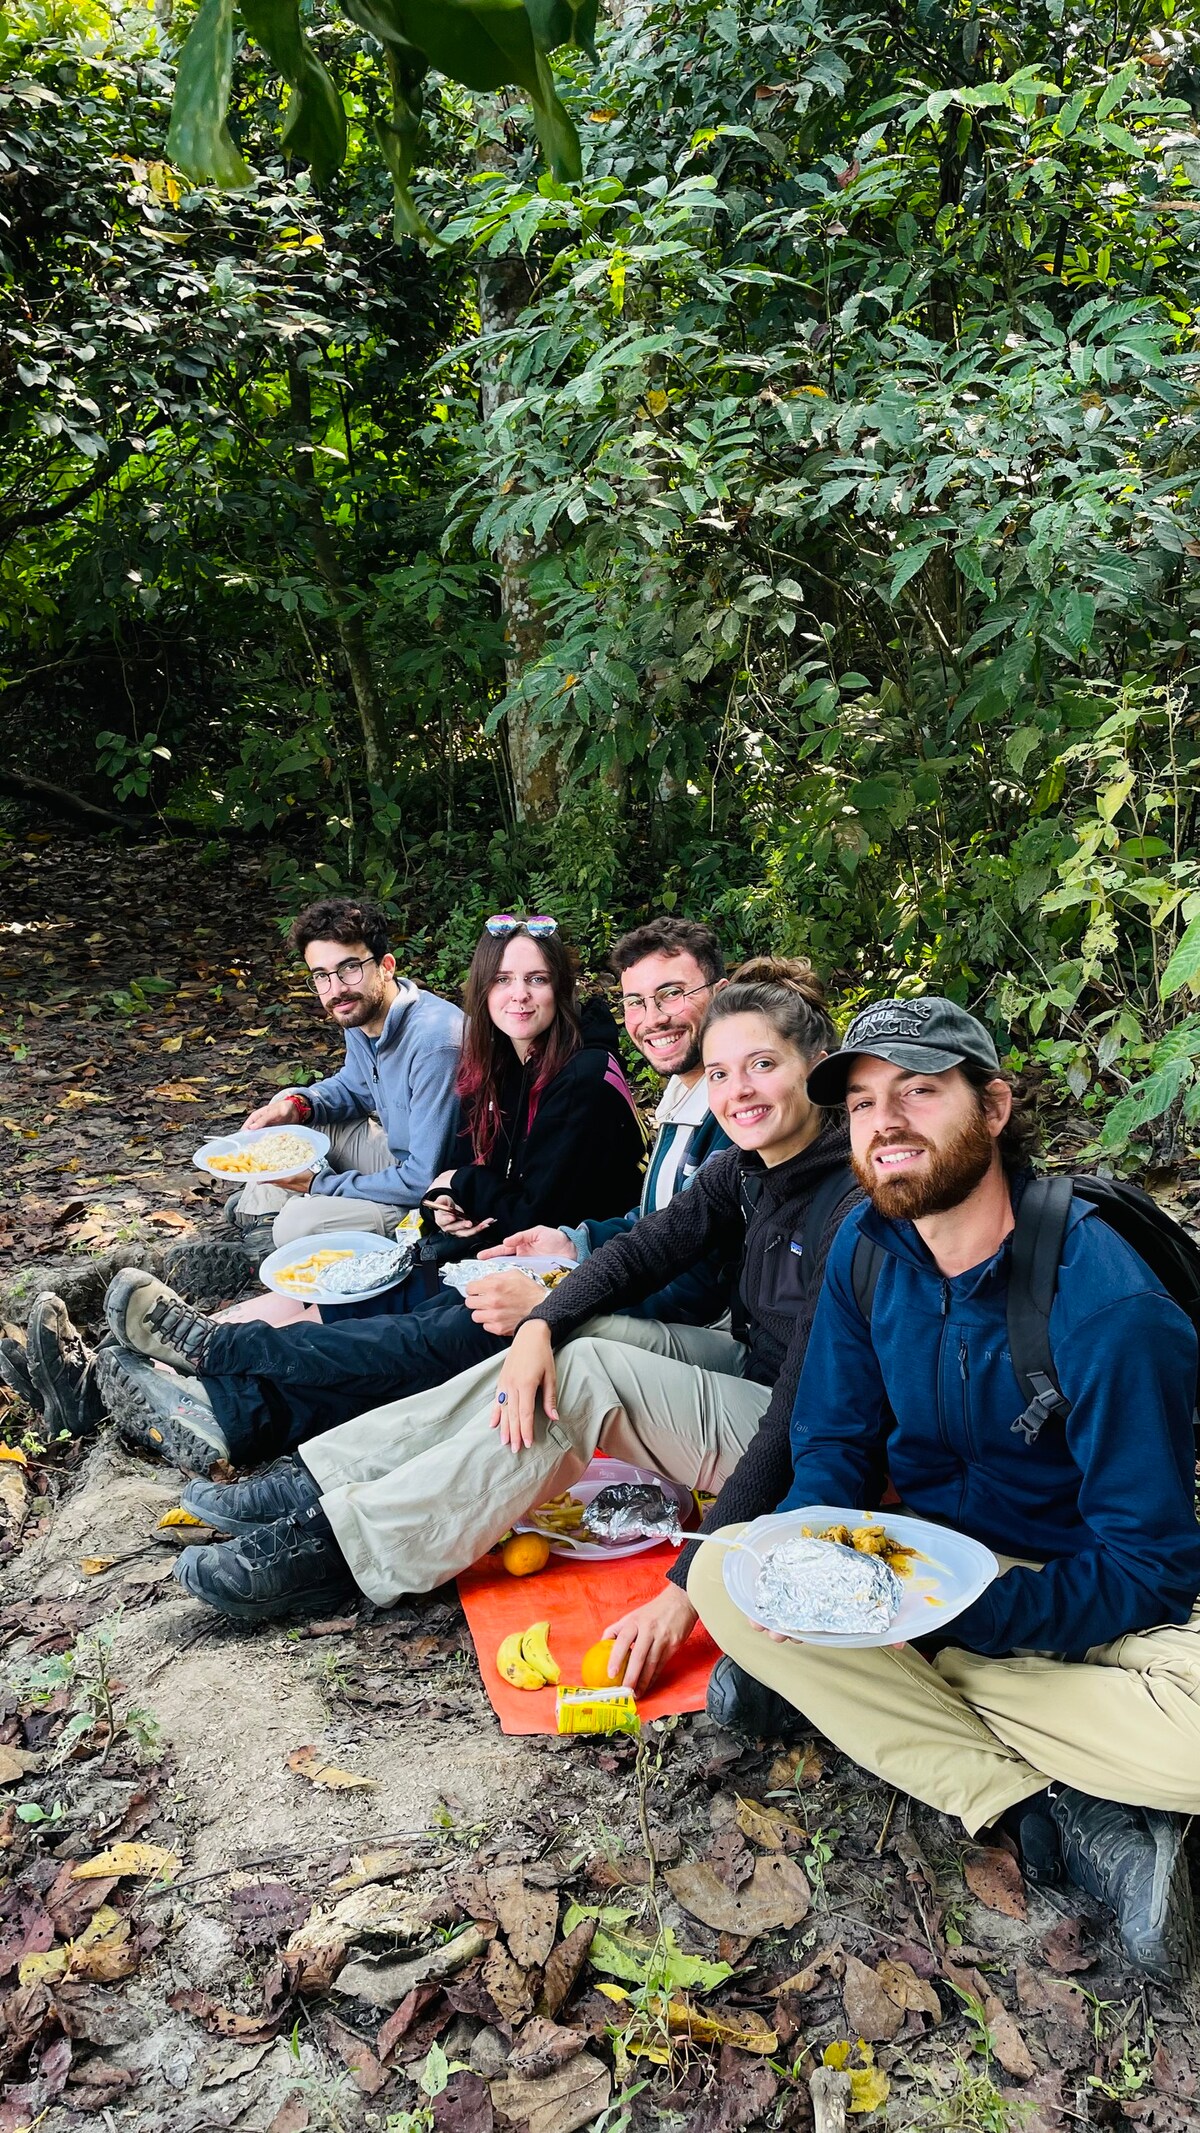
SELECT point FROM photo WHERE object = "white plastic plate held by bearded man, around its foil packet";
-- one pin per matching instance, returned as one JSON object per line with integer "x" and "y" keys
{"x": 947, "y": 1577}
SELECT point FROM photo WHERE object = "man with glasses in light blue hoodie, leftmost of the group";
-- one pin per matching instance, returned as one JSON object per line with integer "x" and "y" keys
{"x": 391, "y": 1108}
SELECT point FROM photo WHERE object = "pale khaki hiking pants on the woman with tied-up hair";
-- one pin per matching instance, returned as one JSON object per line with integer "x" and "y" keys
{"x": 423, "y": 1488}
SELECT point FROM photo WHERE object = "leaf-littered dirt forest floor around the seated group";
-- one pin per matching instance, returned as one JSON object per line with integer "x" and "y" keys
{"x": 238, "y": 1968}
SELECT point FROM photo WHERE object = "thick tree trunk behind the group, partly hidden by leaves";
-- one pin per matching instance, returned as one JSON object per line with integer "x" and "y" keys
{"x": 536, "y": 777}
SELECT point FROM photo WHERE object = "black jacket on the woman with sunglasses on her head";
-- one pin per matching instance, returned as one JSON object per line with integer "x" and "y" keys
{"x": 581, "y": 1155}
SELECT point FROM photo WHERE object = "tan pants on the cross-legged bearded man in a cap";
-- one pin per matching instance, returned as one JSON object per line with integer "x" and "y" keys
{"x": 973, "y": 1735}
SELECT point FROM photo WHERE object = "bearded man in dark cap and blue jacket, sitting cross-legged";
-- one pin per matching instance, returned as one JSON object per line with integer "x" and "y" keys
{"x": 1063, "y": 1705}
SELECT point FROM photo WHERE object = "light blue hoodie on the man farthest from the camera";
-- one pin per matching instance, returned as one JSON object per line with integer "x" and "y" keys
{"x": 406, "y": 1078}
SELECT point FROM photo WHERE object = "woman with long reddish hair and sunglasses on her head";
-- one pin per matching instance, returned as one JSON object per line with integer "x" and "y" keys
{"x": 549, "y": 1125}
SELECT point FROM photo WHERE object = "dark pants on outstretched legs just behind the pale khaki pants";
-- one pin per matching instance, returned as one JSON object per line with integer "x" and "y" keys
{"x": 274, "y": 1388}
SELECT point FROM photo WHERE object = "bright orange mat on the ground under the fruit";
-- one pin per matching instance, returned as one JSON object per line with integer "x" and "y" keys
{"x": 581, "y": 1603}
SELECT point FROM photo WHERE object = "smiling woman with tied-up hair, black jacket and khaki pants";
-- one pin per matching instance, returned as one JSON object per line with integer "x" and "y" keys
{"x": 406, "y": 1496}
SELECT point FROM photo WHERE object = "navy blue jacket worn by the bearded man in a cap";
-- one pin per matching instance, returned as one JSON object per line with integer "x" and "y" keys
{"x": 928, "y": 1398}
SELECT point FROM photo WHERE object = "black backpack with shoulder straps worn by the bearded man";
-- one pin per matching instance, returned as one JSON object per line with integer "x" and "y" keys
{"x": 1171, "y": 1255}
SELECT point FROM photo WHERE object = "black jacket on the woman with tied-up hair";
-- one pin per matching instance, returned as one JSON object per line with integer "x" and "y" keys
{"x": 749, "y": 1215}
